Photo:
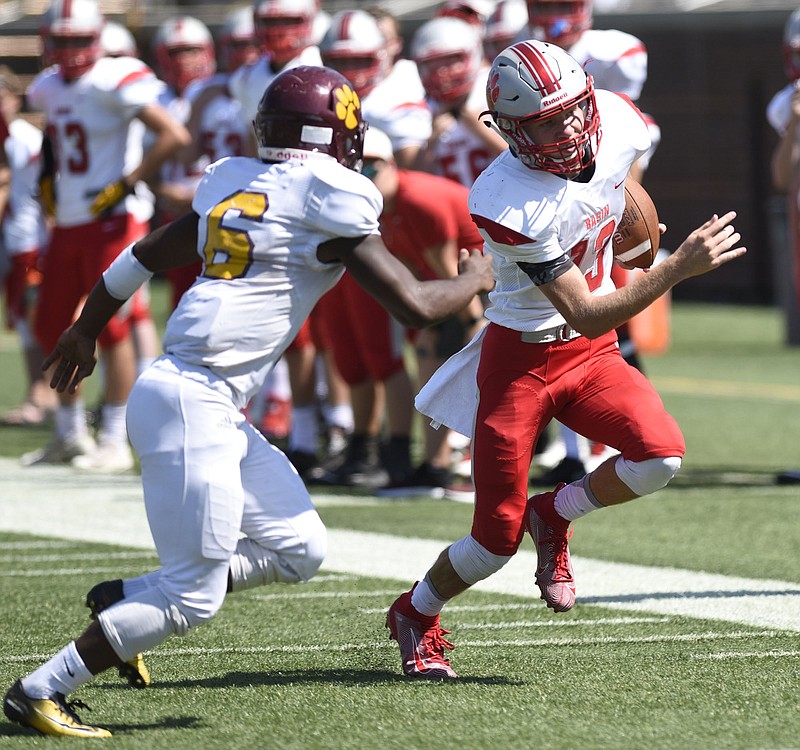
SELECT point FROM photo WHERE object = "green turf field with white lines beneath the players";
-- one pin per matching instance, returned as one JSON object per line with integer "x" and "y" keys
{"x": 685, "y": 634}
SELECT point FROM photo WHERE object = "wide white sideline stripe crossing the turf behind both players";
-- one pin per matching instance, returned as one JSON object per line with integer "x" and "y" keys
{"x": 55, "y": 501}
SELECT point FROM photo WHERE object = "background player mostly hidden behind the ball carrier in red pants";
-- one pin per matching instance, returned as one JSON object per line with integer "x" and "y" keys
{"x": 617, "y": 61}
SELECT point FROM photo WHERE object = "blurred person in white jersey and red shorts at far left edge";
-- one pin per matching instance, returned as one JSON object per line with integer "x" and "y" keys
{"x": 23, "y": 237}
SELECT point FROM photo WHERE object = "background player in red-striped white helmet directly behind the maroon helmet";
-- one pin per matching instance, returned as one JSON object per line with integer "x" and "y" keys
{"x": 391, "y": 93}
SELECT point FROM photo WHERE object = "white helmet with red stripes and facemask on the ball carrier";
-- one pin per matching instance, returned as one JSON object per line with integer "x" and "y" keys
{"x": 531, "y": 81}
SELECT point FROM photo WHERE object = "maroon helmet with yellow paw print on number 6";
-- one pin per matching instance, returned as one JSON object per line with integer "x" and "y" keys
{"x": 307, "y": 110}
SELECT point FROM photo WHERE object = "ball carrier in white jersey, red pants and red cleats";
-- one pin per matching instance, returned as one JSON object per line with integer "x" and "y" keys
{"x": 547, "y": 209}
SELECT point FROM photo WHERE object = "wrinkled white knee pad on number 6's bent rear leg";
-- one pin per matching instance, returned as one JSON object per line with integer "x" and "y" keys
{"x": 253, "y": 564}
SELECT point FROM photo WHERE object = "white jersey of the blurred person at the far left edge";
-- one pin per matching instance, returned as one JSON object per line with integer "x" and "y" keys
{"x": 23, "y": 227}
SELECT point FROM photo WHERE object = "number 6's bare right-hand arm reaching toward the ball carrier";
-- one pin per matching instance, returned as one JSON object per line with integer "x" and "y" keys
{"x": 413, "y": 303}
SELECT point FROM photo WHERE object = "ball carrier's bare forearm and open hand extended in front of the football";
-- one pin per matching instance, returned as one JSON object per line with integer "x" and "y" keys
{"x": 708, "y": 247}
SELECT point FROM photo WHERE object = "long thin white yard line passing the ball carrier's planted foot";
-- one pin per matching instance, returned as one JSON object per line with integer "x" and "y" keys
{"x": 379, "y": 645}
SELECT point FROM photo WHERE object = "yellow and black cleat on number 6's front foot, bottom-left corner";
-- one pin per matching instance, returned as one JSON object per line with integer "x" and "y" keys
{"x": 52, "y": 716}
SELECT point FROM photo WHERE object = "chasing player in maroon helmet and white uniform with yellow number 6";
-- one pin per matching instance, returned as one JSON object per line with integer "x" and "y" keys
{"x": 274, "y": 235}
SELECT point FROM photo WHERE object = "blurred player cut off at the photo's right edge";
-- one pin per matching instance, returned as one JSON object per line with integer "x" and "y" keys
{"x": 783, "y": 113}
